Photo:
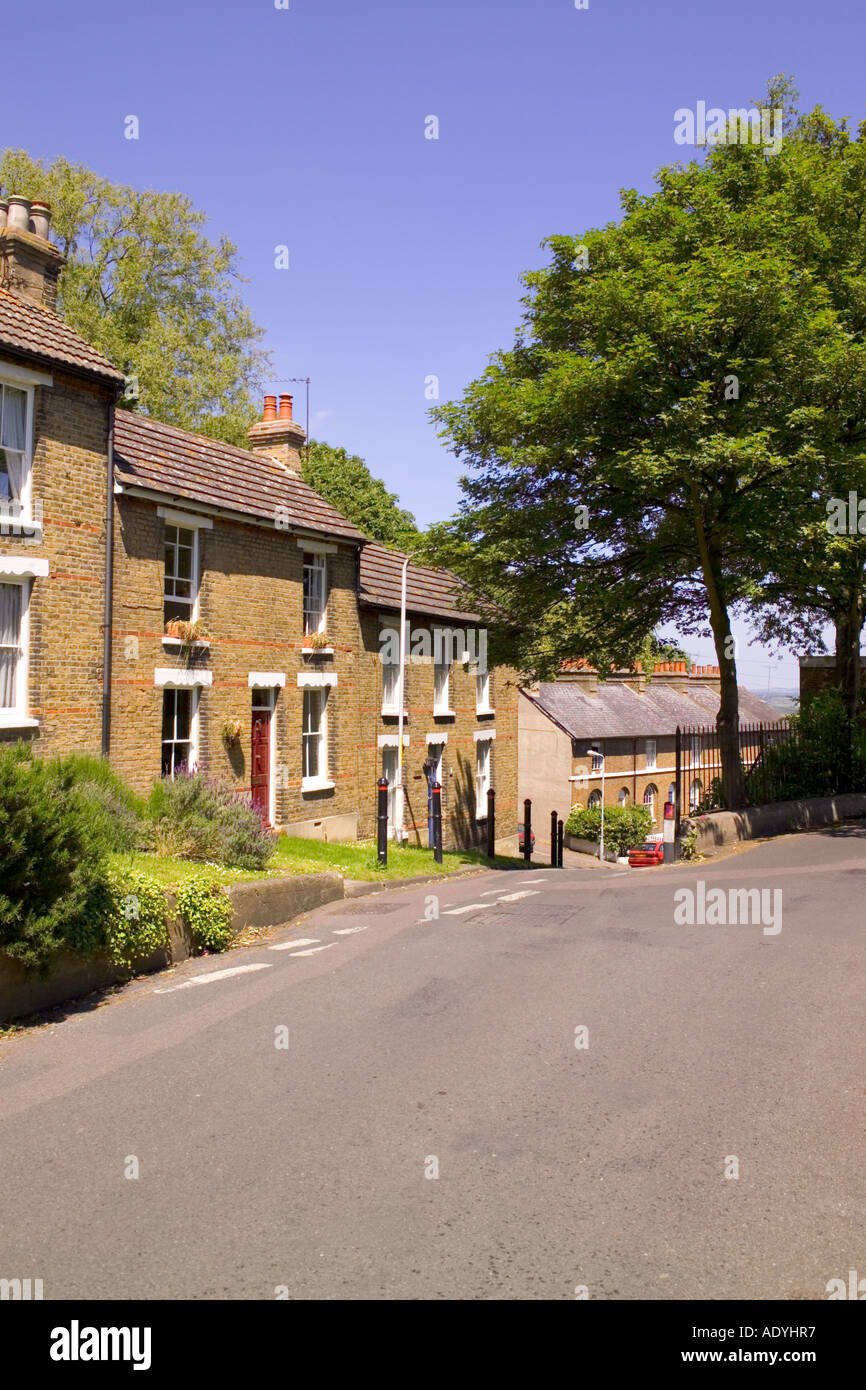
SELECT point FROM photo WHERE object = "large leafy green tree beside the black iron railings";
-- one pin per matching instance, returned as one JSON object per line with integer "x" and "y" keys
{"x": 635, "y": 452}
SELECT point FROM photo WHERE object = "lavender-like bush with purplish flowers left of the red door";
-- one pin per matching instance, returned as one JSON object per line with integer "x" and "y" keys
{"x": 194, "y": 818}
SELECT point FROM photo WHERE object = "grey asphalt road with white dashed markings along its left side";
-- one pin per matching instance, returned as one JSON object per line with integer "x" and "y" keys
{"x": 450, "y": 1046}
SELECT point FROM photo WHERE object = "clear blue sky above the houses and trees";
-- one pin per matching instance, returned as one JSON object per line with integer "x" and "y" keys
{"x": 307, "y": 127}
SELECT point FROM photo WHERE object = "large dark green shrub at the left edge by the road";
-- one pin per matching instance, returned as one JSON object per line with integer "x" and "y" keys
{"x": 52, "y": 860}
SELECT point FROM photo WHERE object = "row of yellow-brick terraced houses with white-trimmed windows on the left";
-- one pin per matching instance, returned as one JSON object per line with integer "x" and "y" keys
{"x": 177, "y": 603}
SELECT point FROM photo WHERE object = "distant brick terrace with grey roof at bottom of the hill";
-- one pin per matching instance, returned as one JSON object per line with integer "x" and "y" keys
{"x": 632, "y": 719}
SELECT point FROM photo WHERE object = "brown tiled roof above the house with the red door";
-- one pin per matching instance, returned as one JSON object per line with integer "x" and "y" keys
{"x": 194, "y": 468}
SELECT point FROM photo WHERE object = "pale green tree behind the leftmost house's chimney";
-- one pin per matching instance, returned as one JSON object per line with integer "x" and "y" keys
{"x": 147, "y": 287}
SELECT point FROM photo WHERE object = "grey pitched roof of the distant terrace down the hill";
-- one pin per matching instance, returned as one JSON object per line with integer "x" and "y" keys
{"x": 616, "y": 711}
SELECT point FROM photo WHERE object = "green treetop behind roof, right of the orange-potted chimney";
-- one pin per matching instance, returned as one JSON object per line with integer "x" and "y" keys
{"x": 345, "y": 482}
